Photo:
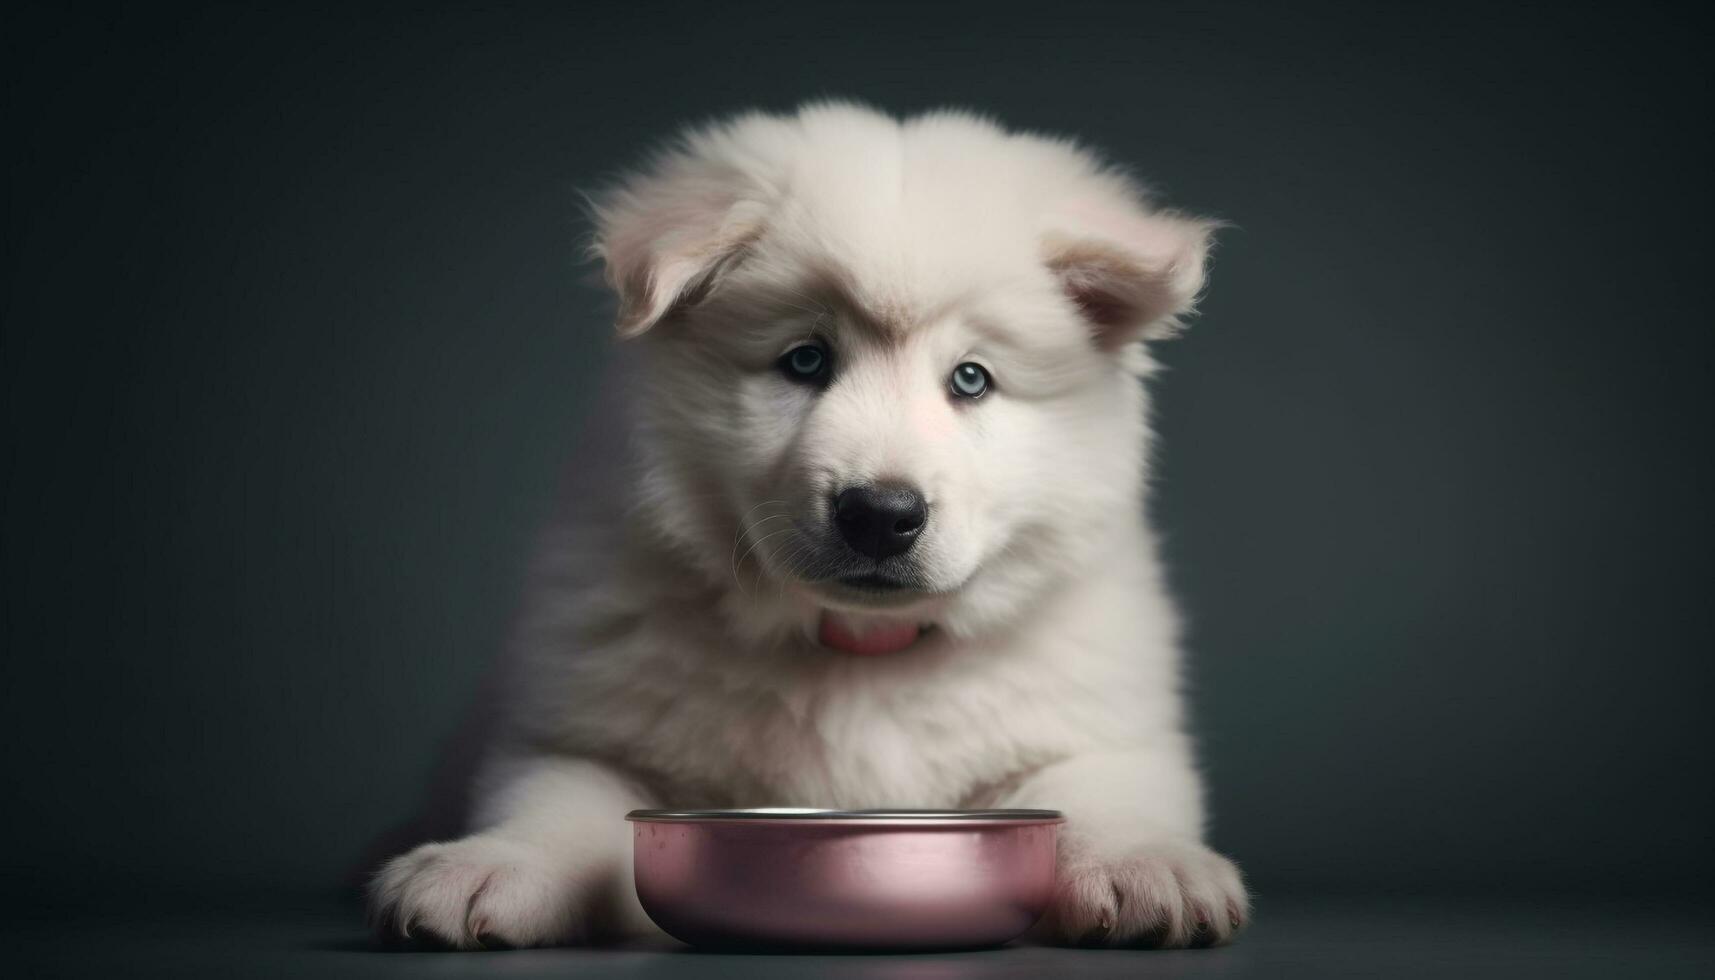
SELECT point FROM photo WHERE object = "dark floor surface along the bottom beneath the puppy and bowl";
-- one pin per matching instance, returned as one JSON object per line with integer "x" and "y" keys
{"x": 1292, "y": 938}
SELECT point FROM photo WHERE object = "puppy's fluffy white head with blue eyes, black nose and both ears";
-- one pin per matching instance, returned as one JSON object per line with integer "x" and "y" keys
{"x": 893, "y": 366}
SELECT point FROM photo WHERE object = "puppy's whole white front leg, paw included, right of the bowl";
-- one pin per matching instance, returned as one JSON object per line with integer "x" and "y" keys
{"x": 1133, "y": 864}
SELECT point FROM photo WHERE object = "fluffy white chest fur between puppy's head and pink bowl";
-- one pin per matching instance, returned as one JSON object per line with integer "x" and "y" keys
{"x": 656, "y": 682}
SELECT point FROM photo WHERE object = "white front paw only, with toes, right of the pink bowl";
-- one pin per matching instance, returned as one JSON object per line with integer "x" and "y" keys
{"x": 1164, "y": 897}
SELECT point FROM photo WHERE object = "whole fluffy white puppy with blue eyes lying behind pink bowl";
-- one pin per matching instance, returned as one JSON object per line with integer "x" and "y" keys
{"x": 882, "y": 538}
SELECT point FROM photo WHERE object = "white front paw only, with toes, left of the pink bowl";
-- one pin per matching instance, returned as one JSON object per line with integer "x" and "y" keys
{"x": 483, "y": 893}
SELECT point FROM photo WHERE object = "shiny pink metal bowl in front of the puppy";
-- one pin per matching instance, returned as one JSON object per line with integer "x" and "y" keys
{"x": 846, "y": 880}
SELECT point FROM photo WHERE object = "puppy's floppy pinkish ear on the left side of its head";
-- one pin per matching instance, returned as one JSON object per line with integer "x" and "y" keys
{"x": 668, "y": 236}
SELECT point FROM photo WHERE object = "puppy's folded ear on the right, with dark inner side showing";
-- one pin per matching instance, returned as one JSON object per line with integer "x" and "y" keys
{"x": 1131, "y": 272}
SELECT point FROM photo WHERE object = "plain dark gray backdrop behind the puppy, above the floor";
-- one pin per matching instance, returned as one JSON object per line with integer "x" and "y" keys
{"x": 296, "y": 339}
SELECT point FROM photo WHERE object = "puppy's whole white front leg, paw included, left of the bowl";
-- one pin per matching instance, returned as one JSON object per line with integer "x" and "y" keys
{"x": 551, "y": 866}
